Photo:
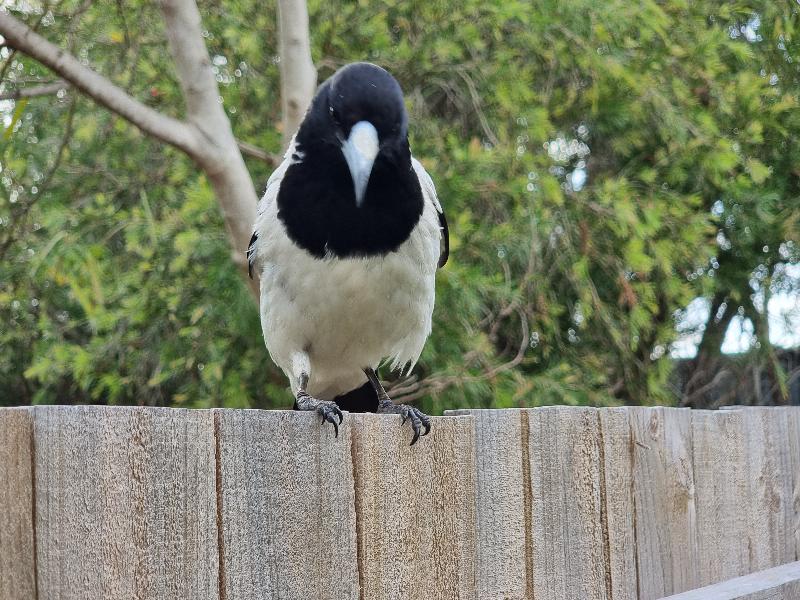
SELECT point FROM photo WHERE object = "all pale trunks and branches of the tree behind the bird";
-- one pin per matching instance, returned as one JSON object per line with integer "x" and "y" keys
{"x": 206, "y": 134}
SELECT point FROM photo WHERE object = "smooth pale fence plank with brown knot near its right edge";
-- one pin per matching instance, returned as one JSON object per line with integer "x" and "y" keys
{"x": 664, "y": 497}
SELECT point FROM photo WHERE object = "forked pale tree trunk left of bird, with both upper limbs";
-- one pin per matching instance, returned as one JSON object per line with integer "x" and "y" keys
{"x": 207, "y": 138}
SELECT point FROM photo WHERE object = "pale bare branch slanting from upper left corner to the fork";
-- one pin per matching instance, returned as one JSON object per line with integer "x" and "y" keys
{"x": 174, "y": 132}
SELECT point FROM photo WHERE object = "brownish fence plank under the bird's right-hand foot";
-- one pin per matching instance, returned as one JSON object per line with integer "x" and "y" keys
{"x": 415, "y": 509}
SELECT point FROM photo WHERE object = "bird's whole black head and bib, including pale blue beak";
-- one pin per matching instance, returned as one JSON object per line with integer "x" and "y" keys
{"x": 351, "y": 190}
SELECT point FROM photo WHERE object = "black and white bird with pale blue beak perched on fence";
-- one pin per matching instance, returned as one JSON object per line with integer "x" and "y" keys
{"x": 347, "y": 241}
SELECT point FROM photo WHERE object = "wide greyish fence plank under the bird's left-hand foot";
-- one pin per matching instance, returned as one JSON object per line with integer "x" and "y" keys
{"x": 288, "y": 507}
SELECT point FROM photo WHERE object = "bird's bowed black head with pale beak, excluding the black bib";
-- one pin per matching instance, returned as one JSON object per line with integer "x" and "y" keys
{"x": 361, "y": 107}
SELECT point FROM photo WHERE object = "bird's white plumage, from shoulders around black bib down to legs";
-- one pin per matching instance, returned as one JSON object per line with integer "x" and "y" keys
{"x": 345, "y": 313}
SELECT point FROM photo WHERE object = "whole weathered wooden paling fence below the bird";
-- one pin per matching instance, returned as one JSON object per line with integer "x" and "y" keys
{"x": 550, "y": 503}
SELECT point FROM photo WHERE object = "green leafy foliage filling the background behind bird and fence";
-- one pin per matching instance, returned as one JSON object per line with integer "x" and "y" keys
{"x": 602, "y": 165}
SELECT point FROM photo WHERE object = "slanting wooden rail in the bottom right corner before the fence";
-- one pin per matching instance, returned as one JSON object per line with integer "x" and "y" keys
{"x": 777, "y": 583}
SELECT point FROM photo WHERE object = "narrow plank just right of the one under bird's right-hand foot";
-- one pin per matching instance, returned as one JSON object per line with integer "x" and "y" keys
{"x": 502, "y": 504}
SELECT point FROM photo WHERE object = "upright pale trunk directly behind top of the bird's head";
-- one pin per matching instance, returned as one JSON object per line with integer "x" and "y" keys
{"x": 298, "y": 76}
